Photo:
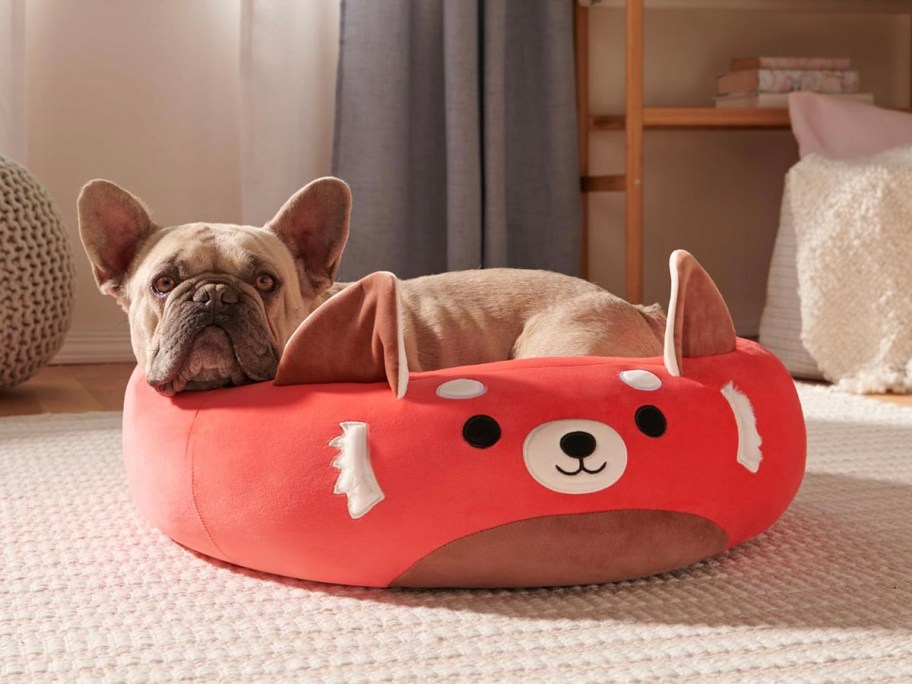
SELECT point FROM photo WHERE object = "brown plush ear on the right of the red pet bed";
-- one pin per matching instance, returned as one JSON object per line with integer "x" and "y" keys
{"x": 698, "y": 323}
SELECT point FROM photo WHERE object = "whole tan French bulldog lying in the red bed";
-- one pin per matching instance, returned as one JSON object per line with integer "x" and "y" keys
{"x": 212, "y": 305}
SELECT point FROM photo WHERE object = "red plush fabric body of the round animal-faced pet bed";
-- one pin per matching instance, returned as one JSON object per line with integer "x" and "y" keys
{"x": 246, "y": 474}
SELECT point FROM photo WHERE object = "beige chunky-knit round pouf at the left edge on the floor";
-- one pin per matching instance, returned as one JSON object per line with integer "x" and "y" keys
{"x": 36, "y": 276}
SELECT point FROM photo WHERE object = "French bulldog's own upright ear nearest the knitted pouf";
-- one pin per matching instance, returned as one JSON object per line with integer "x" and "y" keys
{"x": 112, "y": 225}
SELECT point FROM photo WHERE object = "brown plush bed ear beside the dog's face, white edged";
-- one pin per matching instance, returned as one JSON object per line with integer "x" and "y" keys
{"x": 356, "y": 336}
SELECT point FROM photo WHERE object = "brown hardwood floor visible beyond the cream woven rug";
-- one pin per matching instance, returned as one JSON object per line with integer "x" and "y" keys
{"x": 73, "y": 389}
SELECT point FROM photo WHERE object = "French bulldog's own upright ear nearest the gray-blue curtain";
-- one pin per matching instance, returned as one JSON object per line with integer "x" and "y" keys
{"x": 313, "y": 224}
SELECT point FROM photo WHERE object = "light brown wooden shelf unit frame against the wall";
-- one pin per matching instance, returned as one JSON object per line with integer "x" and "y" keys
{"x": 638, "y": 118}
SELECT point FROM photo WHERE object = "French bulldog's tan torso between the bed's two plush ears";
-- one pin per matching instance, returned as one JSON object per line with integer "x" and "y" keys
{"x": 467, "y": 317}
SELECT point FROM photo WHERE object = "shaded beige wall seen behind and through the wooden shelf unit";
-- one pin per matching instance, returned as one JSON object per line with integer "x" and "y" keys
{"x": 717, "y": 193}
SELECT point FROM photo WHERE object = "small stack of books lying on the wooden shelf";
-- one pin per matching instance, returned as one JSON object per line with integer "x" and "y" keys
{"x": 767, "y": 81}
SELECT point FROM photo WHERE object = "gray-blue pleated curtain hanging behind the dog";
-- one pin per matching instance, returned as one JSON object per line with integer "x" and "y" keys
{"x": 456, "y": 129}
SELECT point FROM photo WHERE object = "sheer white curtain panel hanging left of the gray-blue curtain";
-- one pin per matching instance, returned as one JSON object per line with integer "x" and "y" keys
{"x": 289, "y": 53}
